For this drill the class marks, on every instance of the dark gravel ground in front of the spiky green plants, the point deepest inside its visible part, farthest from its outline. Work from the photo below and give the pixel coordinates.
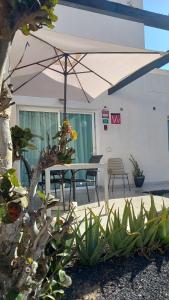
(133, 278)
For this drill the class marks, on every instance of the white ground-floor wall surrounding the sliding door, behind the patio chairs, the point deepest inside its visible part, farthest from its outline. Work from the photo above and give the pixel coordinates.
(143, 131)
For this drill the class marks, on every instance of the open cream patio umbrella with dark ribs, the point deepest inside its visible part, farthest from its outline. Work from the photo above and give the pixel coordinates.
(90, 65)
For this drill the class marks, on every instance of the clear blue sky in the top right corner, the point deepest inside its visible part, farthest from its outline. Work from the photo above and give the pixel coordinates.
(157, 39)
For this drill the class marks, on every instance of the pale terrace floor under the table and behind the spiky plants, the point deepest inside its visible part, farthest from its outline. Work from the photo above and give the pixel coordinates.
(118, 197)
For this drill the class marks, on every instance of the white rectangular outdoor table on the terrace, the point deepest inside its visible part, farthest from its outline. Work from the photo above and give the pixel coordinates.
(79, 166)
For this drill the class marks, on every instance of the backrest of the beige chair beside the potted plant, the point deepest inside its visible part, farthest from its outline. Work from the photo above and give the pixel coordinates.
(115, 166)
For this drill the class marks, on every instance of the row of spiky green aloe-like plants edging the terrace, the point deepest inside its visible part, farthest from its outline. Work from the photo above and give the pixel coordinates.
(131, 233)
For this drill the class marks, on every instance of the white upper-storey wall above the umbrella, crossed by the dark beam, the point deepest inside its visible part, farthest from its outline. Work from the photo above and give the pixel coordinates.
(99, 27)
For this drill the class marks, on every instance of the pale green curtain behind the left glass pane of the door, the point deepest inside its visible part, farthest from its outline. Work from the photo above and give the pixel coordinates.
(44, 124)
